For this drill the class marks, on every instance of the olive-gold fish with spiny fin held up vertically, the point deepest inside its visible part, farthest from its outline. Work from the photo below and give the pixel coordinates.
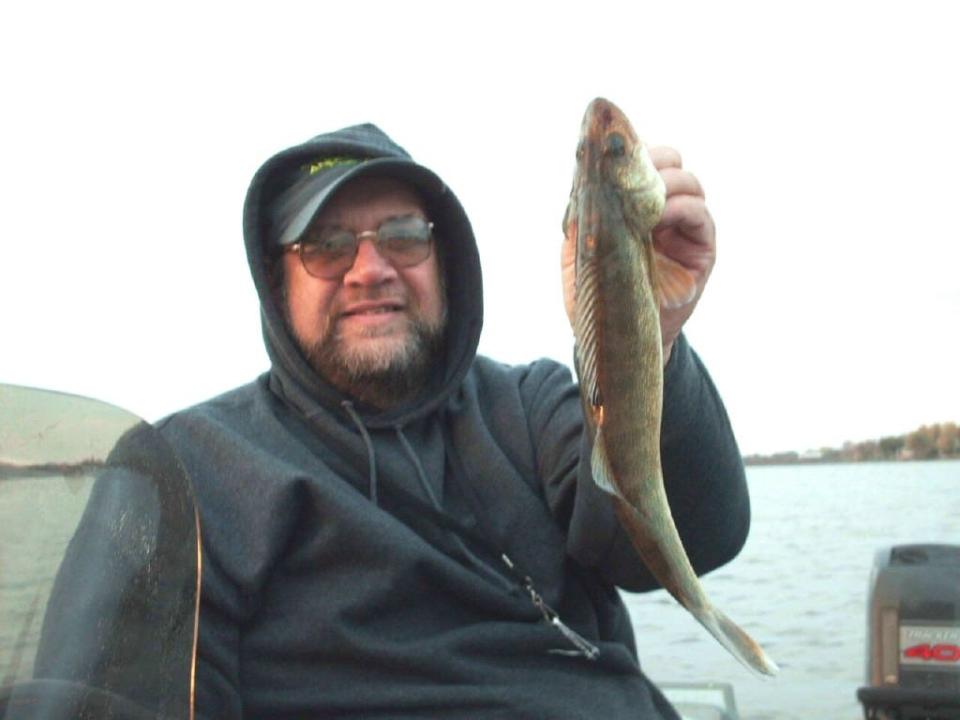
(621, 282)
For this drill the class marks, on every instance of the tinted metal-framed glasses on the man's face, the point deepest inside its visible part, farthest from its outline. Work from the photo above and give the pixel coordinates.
(328, 252)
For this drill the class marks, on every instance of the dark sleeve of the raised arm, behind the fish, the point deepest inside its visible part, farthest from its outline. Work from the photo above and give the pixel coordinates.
(702, 468)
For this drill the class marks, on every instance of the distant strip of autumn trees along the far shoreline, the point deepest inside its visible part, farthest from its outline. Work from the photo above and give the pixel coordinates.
(928, 442)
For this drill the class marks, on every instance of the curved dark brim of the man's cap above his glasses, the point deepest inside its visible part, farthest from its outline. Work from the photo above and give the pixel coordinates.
(306, 199)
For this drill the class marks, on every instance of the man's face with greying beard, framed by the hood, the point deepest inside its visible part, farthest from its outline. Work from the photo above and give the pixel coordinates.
(371, 333)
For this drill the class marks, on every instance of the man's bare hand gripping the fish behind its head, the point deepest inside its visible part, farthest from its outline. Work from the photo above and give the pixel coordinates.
(685, 234)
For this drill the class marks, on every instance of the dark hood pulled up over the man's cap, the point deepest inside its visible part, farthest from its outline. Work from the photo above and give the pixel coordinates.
(291, 375)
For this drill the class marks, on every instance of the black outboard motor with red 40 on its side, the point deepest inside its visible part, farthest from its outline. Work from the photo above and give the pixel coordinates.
(913, 634)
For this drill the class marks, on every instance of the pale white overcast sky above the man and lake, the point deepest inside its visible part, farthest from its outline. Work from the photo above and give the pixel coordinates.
(825, 135)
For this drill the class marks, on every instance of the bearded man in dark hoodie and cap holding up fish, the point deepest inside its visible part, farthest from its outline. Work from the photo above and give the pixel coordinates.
(395, 527)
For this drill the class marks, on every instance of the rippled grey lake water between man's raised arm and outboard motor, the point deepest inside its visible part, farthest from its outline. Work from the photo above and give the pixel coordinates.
(800, 585)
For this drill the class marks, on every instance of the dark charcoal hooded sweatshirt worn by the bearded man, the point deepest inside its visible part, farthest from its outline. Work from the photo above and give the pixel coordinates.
(354, 559)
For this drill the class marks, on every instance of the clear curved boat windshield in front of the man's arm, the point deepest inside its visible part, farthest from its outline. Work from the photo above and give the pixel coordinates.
(99, 563)
